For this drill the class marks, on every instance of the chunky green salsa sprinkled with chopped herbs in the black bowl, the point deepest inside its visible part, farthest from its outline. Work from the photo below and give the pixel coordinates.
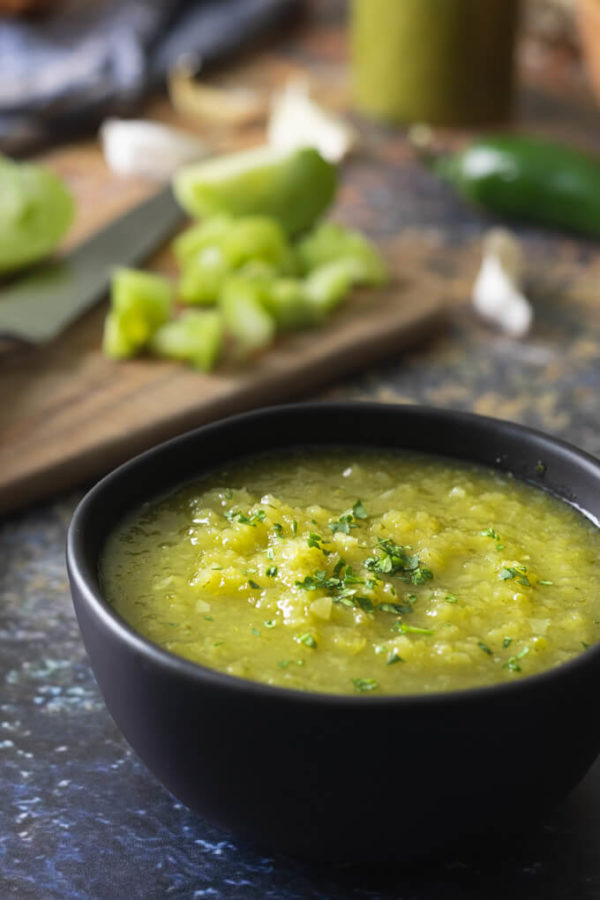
(360, 572)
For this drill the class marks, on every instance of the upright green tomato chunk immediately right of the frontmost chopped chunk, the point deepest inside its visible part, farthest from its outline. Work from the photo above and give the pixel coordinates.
(244, 315)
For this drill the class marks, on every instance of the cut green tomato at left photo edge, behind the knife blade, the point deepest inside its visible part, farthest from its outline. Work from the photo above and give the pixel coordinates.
(36, 210)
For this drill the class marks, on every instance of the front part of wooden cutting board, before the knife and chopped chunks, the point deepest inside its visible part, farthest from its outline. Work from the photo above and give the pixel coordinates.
(68, 415)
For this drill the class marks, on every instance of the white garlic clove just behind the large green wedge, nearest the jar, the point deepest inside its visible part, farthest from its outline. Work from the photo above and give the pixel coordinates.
(297, 121)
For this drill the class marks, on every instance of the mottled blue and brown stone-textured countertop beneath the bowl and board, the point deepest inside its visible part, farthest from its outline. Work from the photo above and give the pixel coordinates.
(80, 816)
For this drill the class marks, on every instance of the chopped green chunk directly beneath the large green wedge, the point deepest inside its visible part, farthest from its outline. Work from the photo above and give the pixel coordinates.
(254, 238)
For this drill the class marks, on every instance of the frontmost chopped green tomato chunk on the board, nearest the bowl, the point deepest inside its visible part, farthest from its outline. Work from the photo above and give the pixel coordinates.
(195, 338)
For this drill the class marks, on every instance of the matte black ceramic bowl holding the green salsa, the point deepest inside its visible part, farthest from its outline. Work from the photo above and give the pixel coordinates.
(321, 775)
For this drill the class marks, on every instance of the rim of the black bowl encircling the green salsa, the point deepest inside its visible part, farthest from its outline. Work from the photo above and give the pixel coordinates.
(84, 581)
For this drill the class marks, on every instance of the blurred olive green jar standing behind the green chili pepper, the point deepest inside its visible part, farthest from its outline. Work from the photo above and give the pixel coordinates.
(444, 62)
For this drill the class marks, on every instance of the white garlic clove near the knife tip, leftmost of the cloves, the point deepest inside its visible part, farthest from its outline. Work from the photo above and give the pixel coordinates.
(149, 149)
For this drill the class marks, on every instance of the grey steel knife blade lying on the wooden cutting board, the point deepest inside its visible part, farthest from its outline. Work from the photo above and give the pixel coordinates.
(38, 306)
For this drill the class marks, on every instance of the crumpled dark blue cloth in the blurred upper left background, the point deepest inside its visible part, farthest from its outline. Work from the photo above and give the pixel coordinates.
(63, 71)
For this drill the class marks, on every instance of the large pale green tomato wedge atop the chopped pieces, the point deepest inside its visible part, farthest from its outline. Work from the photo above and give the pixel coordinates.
(294, 188)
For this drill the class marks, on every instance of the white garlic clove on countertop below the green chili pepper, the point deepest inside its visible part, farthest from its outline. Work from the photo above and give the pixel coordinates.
(496, 293)
